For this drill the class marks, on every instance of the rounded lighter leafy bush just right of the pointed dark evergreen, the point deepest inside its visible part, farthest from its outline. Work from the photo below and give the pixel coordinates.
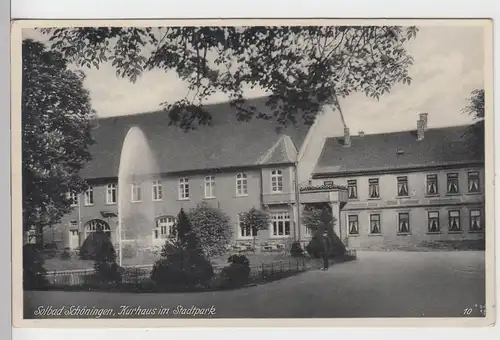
(212, 228)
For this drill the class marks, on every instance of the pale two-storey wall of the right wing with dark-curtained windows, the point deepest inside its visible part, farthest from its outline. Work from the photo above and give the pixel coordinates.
(418, 203)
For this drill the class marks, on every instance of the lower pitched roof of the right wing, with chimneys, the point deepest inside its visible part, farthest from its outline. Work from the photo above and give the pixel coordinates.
(396, 150)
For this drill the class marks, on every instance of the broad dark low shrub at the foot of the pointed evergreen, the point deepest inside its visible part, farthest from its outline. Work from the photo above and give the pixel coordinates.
(180, 266)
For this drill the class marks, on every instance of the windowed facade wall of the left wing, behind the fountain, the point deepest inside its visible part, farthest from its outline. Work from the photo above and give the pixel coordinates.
(226, 198)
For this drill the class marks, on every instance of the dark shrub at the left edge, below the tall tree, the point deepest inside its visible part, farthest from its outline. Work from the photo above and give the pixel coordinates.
(33, 270)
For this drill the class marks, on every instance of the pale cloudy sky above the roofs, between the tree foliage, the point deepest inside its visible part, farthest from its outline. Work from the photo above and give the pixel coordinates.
(448, 65)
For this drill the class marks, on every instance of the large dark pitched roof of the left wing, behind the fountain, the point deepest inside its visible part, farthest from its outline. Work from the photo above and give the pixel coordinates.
(225, 143)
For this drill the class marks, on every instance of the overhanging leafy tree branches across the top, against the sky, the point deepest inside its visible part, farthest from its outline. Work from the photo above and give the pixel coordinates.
(301, 68)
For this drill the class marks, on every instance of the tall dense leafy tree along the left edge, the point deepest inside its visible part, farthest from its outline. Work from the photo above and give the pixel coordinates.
(56, 124)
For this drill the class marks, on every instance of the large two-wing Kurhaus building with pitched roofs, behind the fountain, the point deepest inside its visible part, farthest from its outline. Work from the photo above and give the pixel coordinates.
(384, 189)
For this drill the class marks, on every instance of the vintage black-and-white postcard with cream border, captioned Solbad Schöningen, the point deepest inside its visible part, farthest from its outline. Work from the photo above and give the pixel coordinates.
(252, 173)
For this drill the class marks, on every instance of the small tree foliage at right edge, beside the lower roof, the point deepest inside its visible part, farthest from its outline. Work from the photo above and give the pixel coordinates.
(475, 132)
